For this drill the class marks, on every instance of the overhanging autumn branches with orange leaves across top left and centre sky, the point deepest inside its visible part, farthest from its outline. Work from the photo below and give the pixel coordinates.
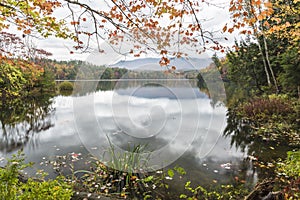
(169, 28)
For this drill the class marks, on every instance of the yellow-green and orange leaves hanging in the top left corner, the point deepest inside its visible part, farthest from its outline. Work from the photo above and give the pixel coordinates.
(32, 15)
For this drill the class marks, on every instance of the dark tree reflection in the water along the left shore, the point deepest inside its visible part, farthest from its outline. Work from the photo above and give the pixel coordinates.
(22, 118)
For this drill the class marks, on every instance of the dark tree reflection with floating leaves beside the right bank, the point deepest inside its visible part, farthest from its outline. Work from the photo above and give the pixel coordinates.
(262, 152)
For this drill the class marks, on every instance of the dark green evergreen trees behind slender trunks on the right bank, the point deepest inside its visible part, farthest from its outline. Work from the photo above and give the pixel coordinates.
(244, 67)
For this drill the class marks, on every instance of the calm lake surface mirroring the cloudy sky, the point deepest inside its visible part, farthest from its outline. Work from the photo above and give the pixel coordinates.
(178, 124)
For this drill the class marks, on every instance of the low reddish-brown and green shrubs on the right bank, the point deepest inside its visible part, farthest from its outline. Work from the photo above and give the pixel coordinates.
(274, 118)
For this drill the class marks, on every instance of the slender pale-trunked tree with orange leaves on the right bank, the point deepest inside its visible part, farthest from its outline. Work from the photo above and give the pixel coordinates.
(251, 17)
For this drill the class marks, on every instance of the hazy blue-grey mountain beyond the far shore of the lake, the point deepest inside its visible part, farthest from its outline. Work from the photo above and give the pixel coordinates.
(152, 64)
